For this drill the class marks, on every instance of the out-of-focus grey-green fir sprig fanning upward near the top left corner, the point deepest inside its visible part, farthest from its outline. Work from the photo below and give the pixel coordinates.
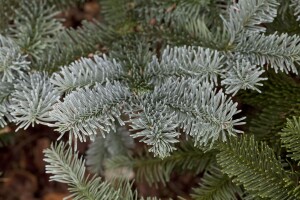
(35, 27)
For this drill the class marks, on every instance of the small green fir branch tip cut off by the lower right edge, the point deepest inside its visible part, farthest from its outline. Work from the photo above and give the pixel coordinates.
(290, 137)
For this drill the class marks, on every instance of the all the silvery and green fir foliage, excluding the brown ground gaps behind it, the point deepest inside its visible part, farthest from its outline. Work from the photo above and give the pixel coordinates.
(175, 75)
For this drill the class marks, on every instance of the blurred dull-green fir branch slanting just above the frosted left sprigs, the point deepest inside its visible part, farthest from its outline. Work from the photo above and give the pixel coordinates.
(75, 43)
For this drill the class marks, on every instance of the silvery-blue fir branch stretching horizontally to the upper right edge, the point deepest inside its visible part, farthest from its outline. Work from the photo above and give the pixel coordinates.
(280, 52)
